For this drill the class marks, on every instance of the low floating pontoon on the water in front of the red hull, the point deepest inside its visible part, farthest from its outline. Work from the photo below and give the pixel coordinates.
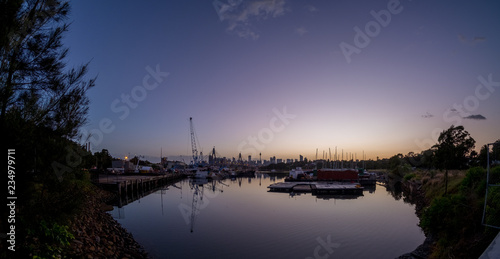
(318, 187)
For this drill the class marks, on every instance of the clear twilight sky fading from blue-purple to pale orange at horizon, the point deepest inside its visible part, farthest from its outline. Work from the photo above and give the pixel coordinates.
(285, 77)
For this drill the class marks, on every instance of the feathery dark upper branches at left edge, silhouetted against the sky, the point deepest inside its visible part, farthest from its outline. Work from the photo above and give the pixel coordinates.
(33, 80)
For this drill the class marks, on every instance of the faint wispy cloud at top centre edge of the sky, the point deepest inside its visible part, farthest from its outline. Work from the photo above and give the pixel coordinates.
(240, 15)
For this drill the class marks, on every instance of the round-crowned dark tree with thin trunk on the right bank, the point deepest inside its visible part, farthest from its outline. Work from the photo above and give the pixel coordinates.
(453, 149)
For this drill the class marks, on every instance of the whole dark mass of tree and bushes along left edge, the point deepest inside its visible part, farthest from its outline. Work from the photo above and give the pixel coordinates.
(43, 104)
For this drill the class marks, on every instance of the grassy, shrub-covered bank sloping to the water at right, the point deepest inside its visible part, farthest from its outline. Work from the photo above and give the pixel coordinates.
(451, 221)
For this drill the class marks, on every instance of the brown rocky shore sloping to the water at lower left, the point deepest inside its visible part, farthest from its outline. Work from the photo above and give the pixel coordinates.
(98, 235)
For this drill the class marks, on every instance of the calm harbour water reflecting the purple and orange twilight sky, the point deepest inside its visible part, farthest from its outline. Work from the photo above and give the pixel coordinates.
(239, 218)
